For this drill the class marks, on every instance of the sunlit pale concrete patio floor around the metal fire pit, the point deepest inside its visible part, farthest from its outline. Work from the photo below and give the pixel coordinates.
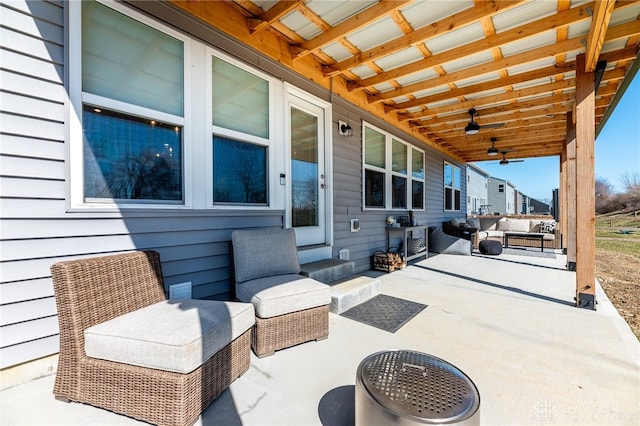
(508, 322)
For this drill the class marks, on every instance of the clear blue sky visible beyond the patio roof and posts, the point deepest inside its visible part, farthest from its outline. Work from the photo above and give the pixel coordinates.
(617, 151)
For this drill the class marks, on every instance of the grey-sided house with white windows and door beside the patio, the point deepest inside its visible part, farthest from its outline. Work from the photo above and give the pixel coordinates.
(120, 132)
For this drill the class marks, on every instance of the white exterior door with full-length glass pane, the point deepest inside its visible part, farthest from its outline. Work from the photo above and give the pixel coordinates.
(307, 186)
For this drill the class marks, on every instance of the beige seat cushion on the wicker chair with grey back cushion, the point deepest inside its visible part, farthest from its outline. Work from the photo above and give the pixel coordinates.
(283, 294)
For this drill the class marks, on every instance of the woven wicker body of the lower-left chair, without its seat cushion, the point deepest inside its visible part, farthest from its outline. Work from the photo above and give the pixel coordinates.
(95, 290)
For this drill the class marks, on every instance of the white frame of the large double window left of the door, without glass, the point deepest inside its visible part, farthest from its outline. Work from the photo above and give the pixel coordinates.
(197, 129)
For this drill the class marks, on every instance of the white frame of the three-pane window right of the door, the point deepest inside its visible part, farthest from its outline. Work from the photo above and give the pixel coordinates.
(389, 172)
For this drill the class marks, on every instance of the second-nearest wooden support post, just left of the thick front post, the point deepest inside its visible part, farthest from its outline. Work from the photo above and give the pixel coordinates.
(572, 207)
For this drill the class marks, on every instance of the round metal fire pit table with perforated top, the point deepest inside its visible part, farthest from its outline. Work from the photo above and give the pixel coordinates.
(409, 388)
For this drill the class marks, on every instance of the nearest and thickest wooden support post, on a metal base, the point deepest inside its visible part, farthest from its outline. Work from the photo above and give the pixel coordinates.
(585, 186)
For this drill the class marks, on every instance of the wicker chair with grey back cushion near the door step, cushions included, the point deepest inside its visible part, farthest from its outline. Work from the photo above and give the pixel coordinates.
(290, 308)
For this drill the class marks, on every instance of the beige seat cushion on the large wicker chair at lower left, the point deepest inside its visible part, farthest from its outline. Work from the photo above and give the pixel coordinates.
(173, 335)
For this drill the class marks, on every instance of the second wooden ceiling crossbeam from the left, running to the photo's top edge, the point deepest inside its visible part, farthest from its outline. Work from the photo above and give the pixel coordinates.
(359, 20)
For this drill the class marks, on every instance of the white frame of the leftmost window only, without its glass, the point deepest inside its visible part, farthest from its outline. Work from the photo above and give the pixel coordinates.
(77, 98)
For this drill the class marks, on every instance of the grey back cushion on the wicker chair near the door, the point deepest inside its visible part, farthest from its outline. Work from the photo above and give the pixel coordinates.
(264, 252)
